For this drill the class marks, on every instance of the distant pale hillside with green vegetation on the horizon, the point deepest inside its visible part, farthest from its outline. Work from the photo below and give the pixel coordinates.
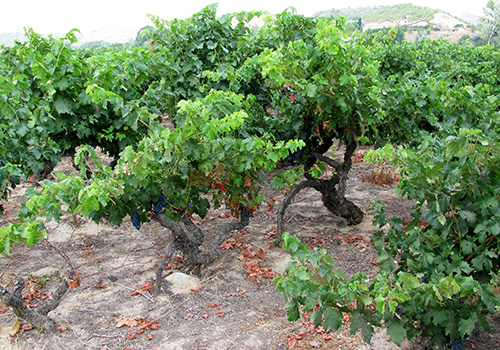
(379, 13)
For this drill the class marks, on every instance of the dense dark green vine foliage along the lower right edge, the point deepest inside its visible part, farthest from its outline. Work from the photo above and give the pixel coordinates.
(452, 241)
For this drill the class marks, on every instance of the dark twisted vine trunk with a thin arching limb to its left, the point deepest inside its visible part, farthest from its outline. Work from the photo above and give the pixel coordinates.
(332, 190)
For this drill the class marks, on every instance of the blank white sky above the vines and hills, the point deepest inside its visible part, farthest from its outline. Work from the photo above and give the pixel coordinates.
(60, 16)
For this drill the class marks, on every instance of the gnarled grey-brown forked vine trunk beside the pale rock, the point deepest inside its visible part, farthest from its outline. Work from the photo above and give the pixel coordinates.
(187, 241)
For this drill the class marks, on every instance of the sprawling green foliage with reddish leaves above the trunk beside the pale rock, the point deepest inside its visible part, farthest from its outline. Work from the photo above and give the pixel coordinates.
(205, 154)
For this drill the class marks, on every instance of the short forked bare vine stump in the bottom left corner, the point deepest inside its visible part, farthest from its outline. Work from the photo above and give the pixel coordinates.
(36, 317)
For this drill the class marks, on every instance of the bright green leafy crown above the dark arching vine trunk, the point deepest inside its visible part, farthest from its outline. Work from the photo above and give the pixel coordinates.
(322, 86)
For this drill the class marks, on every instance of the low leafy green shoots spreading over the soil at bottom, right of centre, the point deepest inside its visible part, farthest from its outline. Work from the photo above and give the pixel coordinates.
(311, 285)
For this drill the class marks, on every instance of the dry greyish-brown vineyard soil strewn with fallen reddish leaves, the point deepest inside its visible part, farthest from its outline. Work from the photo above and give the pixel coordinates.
(233, 306)
